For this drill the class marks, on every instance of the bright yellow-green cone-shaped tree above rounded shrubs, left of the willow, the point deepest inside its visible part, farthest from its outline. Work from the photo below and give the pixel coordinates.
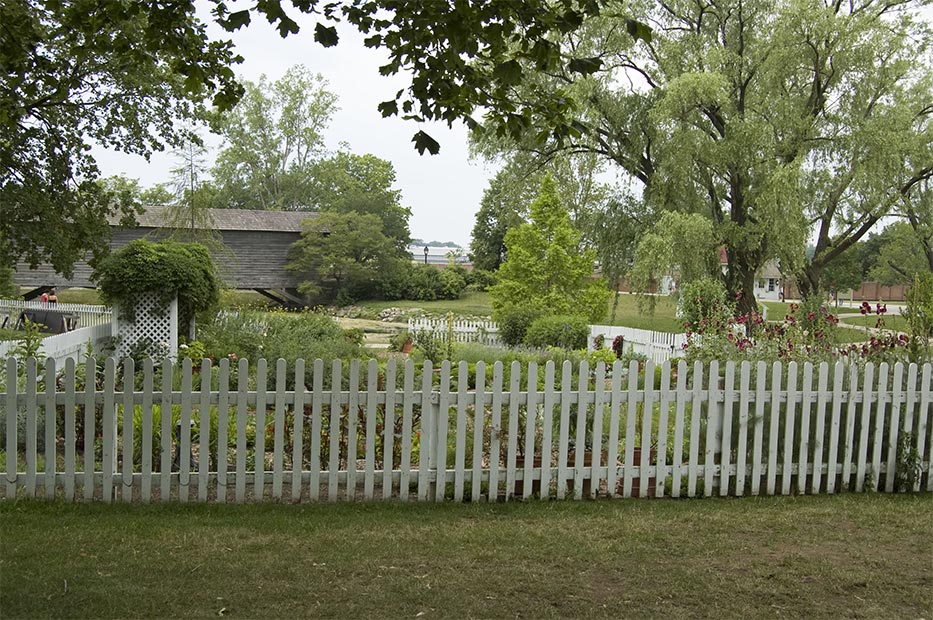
(546, 267)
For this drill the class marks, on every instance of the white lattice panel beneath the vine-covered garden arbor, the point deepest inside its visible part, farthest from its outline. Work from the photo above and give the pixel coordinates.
(155, 325)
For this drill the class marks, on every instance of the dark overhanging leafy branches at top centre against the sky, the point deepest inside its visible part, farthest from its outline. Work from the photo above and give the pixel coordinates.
(464, 58)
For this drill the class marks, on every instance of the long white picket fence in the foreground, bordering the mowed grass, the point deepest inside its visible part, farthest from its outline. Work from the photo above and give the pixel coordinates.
(425, 433)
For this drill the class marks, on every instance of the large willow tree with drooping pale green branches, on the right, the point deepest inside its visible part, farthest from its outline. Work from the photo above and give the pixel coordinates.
(770, 118)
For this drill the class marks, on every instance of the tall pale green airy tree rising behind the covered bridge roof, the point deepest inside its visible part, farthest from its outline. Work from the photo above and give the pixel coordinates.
(272, 139)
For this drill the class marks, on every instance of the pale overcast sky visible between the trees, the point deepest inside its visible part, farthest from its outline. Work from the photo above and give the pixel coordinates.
(443, 191)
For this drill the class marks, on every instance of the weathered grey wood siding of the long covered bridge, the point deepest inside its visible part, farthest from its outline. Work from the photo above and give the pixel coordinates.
(255, 259)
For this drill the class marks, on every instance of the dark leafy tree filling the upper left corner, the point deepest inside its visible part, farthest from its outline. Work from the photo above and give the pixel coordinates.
(115, 73)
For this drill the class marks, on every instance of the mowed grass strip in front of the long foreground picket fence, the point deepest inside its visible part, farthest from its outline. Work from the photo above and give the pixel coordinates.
(865, 556)
